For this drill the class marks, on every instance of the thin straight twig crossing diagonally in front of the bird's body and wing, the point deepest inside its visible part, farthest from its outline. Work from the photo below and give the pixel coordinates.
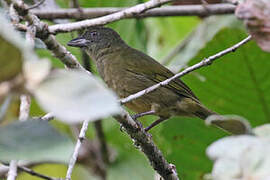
(204, 62)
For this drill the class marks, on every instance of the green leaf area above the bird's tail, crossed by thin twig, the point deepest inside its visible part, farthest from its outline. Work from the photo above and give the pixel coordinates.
(237, 82)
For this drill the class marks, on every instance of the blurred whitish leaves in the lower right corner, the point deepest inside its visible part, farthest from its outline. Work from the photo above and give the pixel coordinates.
(248, 157)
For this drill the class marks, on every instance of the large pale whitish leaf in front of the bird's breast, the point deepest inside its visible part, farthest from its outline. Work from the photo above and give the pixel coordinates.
(74, 96)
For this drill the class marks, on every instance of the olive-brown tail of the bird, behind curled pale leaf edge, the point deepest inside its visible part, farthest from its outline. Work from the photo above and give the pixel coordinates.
(233, 127)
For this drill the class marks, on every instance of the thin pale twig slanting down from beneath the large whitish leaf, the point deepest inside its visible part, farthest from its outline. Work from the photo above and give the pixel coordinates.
(75, 154)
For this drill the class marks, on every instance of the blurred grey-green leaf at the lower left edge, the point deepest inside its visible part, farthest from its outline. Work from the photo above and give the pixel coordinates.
(35, 141)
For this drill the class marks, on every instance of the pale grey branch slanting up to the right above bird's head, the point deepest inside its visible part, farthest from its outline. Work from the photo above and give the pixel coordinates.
(126, 13)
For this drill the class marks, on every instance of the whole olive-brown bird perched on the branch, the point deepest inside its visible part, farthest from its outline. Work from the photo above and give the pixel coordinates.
(127, 71)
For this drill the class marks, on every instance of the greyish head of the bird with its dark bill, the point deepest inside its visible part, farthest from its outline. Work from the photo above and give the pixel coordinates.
(95, 39)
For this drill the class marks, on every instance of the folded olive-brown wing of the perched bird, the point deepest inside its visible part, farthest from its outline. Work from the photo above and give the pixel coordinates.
(143, 64)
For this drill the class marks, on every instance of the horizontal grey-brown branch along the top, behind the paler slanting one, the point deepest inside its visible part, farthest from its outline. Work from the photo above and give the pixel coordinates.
(184, 10)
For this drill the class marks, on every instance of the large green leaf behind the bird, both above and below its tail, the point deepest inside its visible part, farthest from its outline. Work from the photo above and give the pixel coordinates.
(234, 84)
